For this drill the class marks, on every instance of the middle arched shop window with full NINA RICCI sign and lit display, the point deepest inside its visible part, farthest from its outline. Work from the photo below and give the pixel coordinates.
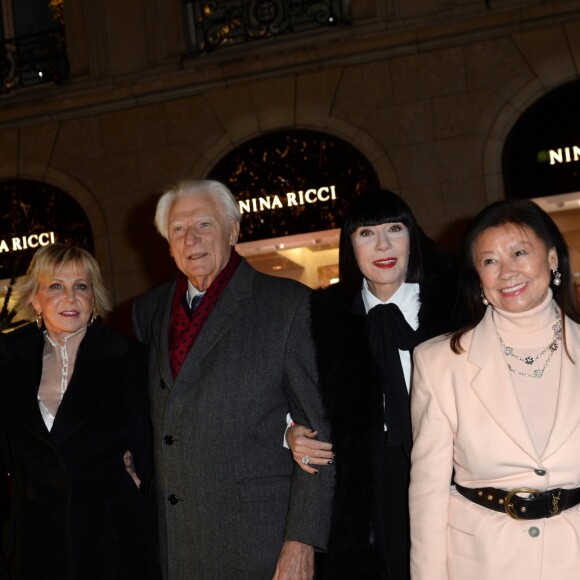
(293, 188)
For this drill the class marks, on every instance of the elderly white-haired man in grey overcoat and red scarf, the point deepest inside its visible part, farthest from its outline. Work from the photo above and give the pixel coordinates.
(230, 355)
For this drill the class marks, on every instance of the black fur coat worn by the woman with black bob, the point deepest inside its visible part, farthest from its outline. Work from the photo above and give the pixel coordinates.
(353, 397)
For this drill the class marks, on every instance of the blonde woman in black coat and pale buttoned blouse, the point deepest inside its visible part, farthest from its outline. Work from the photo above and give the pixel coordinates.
(76, 434)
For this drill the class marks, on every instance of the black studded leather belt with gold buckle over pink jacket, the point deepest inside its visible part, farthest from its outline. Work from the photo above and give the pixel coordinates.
(536, 506)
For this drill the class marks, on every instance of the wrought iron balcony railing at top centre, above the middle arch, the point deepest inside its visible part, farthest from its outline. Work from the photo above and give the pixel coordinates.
(217, 23)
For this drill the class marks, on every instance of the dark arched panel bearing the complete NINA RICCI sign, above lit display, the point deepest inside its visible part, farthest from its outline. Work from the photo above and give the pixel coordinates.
(293, 182)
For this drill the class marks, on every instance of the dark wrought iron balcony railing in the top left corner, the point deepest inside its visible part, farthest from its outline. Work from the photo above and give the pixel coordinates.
(32, 60)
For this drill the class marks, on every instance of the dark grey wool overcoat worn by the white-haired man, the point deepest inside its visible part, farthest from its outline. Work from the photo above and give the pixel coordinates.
(229, 493)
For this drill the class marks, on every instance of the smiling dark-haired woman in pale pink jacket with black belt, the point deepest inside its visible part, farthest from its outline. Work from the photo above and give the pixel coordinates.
(496, 407)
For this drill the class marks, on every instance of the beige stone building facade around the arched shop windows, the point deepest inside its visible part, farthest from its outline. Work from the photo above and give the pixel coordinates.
(427, 90)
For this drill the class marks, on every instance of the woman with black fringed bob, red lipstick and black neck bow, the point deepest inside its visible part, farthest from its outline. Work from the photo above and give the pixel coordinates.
(396, 289)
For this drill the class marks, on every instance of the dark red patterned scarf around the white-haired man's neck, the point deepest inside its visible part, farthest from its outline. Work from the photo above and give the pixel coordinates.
(185, 326)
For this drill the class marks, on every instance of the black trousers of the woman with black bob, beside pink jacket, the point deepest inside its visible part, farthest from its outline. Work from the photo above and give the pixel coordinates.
(390, 515)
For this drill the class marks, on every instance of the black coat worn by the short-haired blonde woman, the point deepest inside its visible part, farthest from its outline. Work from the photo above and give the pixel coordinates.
(74, 512)
